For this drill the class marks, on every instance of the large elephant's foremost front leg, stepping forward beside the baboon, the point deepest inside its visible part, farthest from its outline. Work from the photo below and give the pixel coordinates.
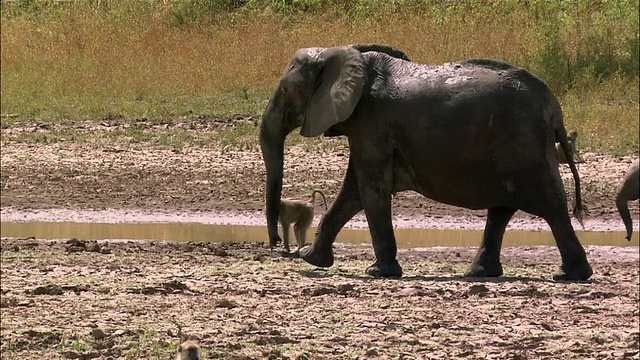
(346, 206)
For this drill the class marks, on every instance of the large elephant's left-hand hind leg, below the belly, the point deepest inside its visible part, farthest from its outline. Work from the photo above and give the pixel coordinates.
(487, 260)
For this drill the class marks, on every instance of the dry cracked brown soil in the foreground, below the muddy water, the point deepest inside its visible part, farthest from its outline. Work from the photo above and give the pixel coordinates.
(83, 300)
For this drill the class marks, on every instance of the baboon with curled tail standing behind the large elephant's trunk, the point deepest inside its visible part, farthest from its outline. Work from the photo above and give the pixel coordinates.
(300, 214)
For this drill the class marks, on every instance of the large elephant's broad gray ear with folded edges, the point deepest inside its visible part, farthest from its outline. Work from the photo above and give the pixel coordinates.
(338, 91)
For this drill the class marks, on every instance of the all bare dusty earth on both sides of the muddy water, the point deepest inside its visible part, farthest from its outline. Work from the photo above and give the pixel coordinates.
(119, 300)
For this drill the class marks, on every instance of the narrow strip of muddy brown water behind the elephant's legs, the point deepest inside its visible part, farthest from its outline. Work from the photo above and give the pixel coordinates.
(407, 238)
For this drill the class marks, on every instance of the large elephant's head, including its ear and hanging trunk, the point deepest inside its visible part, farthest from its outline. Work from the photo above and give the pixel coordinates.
(318, 89)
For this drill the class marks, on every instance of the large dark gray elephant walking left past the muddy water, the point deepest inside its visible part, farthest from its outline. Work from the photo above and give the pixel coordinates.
(478, 134)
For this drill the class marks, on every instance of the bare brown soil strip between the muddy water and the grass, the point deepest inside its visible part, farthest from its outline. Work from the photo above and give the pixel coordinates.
(125, 175)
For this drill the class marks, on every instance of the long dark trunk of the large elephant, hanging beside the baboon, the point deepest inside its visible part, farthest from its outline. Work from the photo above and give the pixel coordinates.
(272, 138)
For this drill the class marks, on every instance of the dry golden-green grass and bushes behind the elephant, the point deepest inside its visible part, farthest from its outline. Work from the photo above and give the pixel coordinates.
(64, 61)
